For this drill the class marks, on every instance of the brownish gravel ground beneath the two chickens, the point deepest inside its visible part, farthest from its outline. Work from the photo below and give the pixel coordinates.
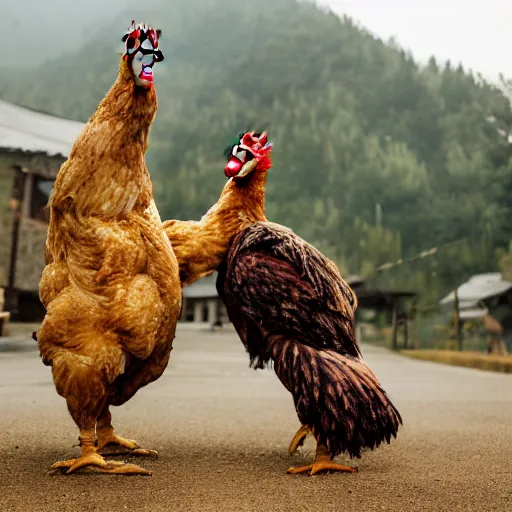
(223, 430)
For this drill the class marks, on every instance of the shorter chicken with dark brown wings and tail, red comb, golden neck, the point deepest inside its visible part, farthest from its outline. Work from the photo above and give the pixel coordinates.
(291, 308)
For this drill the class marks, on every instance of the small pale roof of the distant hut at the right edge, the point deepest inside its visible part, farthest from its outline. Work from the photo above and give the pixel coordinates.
(479, 287)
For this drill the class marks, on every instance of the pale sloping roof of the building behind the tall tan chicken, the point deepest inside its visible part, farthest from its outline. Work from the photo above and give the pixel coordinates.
(23, 129)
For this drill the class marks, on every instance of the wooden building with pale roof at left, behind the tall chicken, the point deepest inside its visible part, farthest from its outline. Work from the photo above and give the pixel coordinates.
(33, 145)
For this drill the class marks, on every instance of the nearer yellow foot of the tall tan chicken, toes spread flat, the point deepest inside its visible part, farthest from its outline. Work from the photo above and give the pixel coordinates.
(93, 461)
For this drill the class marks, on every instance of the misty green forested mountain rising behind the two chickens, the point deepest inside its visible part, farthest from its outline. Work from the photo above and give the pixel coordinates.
(375, 157)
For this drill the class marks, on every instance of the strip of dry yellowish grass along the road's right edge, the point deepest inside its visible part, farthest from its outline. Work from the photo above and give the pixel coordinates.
(478, 360)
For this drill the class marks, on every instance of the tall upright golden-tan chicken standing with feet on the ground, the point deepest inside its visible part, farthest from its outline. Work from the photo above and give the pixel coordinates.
(111, 285)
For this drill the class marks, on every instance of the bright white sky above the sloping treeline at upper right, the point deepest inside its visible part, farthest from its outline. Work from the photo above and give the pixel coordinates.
(477, 33)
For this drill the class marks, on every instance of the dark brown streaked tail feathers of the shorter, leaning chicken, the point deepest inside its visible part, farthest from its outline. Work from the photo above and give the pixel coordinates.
(337, 396)
